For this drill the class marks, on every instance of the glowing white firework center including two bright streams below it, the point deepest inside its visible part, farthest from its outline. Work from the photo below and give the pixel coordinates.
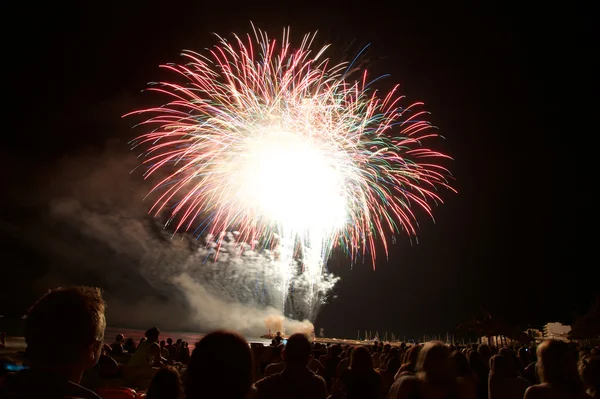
(291, 183)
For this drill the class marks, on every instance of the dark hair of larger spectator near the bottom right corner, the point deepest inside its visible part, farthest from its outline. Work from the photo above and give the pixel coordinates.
(558, 367)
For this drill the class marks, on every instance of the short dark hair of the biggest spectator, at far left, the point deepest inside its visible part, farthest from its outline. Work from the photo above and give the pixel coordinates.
(73, 316)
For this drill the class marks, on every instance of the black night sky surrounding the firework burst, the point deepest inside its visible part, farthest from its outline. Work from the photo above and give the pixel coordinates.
(502, 82)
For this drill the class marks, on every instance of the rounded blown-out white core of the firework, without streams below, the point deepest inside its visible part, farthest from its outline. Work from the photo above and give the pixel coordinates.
(292, 182)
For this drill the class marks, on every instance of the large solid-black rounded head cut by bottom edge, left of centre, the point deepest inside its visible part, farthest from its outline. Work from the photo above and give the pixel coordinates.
(221, 360)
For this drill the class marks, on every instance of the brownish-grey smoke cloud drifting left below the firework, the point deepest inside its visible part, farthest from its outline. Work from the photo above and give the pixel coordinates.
(95, 227)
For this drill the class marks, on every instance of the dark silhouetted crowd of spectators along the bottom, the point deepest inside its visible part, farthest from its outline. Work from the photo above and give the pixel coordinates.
(67, 358)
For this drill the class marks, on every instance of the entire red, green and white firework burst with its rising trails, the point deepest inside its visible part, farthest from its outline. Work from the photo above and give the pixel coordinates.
(291, 152)
